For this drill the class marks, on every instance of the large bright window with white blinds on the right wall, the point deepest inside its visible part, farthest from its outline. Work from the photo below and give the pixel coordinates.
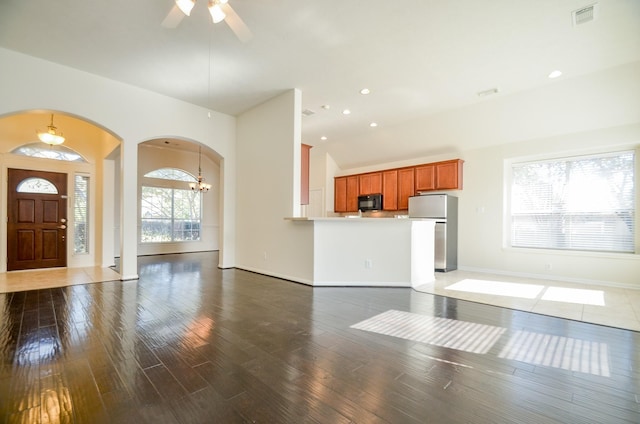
(576, 203)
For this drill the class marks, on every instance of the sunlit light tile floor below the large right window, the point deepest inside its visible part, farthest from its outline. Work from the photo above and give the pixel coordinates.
(611, 306)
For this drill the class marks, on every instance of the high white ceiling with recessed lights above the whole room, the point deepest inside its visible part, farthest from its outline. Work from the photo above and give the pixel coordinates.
(418, 57)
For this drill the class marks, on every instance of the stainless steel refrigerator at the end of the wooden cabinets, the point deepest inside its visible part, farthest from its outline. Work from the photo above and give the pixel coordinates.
(444, 209)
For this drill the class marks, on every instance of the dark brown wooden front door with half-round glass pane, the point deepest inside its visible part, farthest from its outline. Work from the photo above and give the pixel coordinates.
(37, 215)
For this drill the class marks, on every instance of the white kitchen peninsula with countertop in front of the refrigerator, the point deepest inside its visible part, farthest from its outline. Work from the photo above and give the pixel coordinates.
(387, 252)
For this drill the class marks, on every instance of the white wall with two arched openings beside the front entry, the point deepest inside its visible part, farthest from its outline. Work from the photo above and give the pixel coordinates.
(133, 115)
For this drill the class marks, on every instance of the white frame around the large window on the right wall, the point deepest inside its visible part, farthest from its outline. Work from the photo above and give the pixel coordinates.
(574, 154)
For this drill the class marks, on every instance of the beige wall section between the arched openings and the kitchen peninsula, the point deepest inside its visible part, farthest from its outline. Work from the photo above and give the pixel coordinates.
(268, 147)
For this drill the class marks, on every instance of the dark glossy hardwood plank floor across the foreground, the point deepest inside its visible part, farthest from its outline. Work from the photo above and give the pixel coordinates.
(189, 343)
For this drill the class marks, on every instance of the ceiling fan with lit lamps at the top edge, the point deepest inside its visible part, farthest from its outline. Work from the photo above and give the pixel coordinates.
(220, 10)
